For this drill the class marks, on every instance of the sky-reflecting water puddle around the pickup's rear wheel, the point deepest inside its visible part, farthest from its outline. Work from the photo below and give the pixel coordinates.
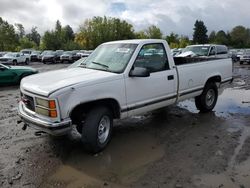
(231, 101)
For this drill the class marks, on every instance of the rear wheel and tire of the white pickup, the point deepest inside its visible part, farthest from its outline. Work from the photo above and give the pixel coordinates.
(207, 100)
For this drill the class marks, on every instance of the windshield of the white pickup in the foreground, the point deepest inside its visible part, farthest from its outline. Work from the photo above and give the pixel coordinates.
(111, 57)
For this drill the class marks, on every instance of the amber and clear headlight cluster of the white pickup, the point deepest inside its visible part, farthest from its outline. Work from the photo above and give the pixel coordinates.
(46, 107)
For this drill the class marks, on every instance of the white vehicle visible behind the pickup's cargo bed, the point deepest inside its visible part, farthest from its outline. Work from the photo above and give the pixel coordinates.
(205, 50)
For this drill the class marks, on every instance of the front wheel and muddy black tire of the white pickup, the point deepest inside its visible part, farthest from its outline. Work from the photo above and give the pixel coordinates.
(97, 129)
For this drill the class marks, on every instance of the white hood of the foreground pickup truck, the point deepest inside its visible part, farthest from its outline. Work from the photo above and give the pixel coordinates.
(49, 82)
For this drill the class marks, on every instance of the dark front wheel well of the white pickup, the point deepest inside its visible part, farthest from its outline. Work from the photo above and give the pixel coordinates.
(112, 104)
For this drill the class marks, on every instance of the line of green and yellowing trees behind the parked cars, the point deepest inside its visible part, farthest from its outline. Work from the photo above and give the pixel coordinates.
(97, 30)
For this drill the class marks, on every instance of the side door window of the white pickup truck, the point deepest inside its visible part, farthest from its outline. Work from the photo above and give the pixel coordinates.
(152, 57)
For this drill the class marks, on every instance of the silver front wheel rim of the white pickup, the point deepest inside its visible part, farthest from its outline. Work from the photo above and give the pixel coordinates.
(103, 129)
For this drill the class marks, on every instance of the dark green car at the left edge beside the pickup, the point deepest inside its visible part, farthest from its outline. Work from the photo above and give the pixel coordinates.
(14, 74)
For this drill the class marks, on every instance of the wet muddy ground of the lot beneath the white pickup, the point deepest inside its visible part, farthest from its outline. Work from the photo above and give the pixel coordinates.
(176, 147)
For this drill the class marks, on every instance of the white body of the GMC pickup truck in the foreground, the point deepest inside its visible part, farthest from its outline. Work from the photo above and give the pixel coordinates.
(75, 87)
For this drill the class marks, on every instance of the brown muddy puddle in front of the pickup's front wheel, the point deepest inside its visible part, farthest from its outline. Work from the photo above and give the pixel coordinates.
(123, 162)
